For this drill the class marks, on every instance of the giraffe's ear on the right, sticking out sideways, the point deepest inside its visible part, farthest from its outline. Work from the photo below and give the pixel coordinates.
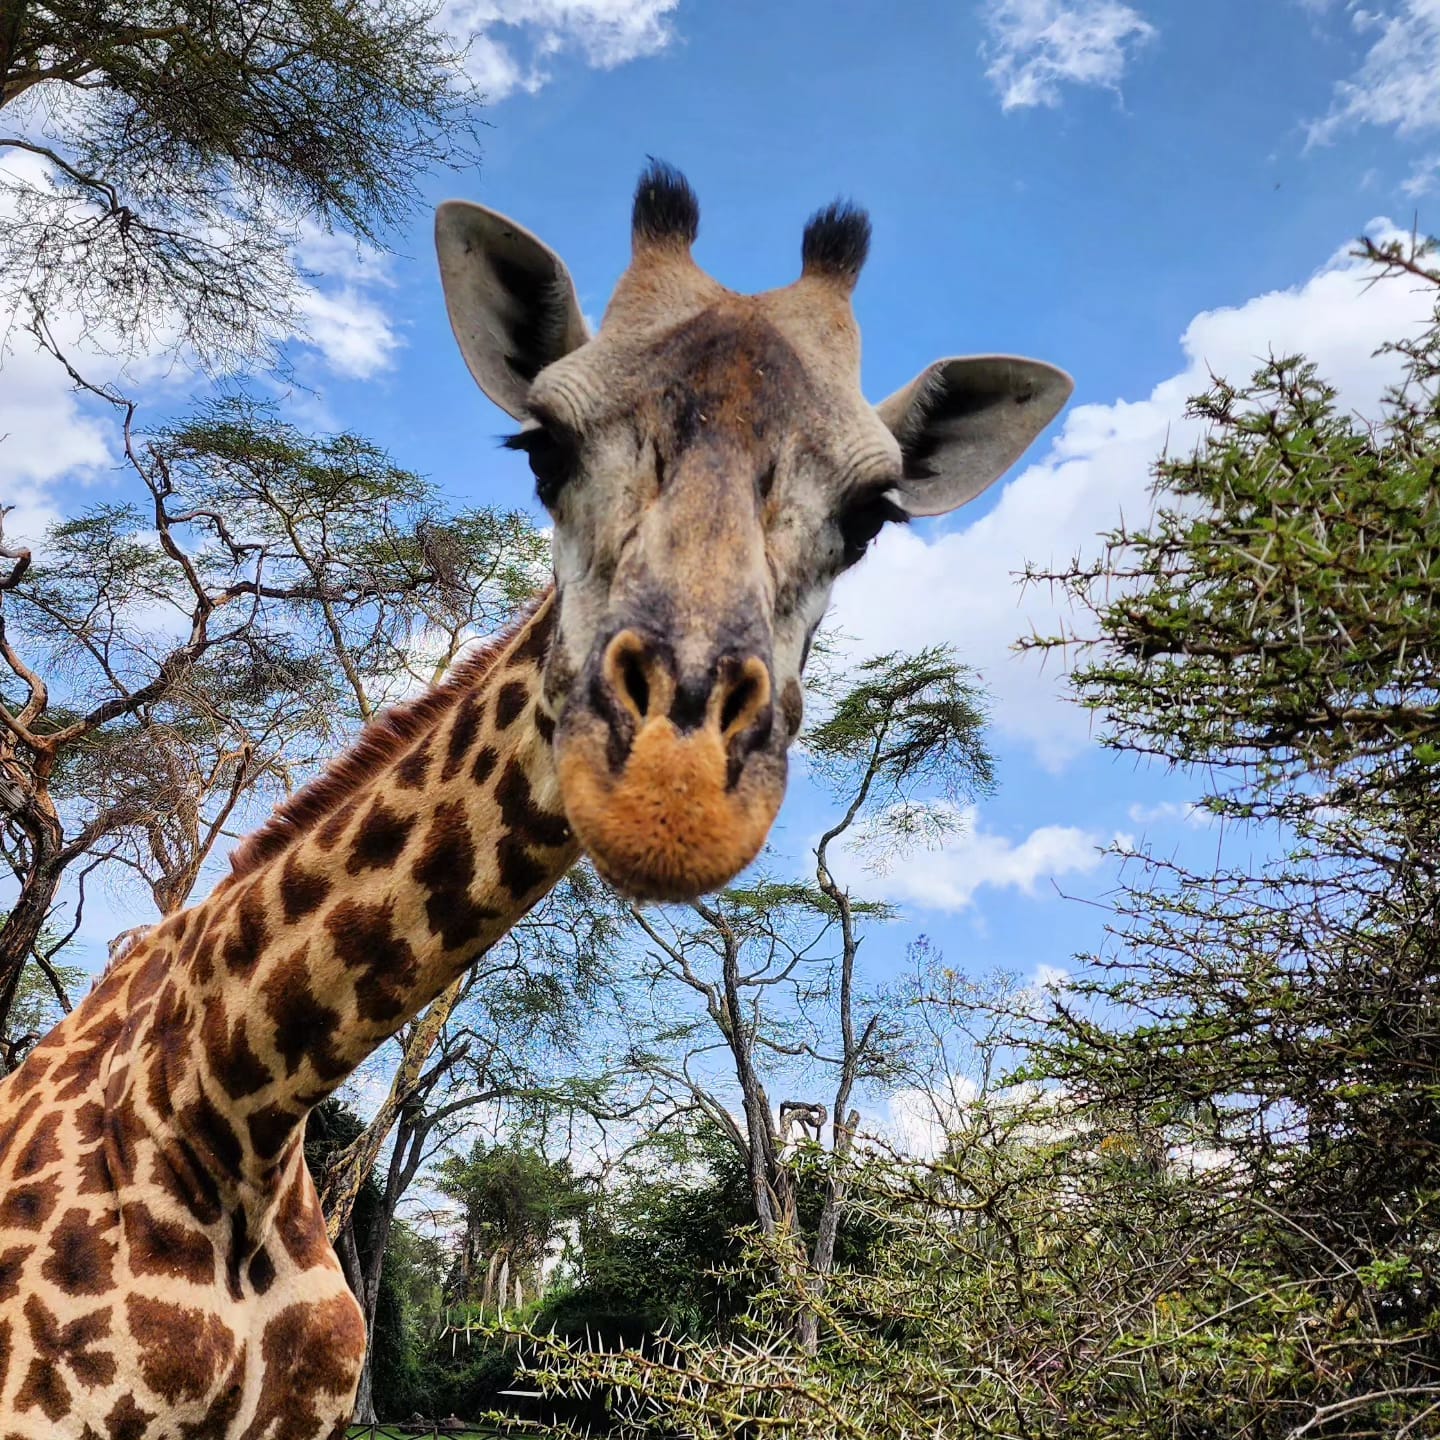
(964, 423)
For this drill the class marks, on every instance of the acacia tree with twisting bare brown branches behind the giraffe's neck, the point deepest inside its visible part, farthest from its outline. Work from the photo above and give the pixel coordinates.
(174, 665)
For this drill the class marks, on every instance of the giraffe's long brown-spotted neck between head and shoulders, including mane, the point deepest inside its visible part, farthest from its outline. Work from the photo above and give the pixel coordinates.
(345, 917)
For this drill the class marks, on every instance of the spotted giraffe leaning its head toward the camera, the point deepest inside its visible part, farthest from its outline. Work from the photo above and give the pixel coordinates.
(711, 467)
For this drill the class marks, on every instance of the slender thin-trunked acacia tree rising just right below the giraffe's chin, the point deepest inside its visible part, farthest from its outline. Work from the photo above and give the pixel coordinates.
(758, 987)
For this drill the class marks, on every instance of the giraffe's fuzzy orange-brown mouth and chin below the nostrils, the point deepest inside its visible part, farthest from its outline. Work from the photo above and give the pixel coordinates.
(672, 822)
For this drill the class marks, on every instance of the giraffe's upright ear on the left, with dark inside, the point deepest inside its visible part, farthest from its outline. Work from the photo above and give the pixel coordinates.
(510, 300)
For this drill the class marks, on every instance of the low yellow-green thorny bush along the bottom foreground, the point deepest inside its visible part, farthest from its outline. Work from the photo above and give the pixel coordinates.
(1006, 1288)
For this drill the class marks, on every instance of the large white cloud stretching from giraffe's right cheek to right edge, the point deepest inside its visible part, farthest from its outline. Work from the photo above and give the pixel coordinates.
(960, 588)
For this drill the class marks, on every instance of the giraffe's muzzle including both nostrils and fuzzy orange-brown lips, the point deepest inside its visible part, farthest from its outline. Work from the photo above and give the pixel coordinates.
(672, 780)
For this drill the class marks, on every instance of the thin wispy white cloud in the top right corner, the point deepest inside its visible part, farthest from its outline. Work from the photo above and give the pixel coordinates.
(1396, 84)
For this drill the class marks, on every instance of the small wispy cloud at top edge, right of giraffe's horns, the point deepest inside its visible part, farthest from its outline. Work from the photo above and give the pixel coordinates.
(1038, 47)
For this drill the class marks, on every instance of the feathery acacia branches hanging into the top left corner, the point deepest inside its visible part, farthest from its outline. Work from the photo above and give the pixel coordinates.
(185, 146)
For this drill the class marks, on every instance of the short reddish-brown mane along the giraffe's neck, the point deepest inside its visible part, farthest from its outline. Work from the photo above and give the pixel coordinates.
(381, 742)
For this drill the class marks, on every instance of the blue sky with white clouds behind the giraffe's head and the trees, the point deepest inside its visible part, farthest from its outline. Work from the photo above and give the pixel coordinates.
(1134, 192)
